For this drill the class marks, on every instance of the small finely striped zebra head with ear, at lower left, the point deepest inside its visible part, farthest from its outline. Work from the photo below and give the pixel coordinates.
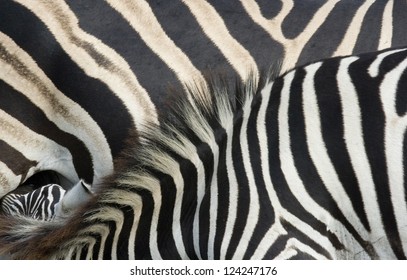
(46, 202)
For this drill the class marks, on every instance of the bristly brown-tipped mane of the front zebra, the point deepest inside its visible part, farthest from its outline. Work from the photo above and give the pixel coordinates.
(211, 105)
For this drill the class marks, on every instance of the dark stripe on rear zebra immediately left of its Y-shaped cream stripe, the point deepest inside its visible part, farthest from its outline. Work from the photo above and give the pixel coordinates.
(261, 46)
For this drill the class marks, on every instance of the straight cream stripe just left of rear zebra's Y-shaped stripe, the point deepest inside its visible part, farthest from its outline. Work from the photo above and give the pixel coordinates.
(214, 27)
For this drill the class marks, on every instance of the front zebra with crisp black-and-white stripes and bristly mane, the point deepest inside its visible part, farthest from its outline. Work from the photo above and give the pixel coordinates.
(308, 165)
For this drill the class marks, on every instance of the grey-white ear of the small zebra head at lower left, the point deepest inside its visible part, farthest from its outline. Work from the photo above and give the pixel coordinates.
(74, 198)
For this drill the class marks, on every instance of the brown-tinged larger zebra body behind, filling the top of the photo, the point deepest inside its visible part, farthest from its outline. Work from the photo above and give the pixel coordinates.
(76, 78)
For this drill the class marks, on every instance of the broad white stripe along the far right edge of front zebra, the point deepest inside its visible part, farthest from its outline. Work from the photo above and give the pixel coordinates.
(395, 129)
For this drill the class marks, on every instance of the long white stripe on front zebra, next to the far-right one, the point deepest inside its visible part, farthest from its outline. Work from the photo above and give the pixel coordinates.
(356, 149)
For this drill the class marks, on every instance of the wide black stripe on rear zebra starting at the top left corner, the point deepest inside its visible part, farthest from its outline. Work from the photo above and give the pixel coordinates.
(94, 96)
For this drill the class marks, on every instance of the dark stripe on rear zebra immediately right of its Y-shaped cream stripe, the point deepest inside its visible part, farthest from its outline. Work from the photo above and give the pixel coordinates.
(334, 28)
